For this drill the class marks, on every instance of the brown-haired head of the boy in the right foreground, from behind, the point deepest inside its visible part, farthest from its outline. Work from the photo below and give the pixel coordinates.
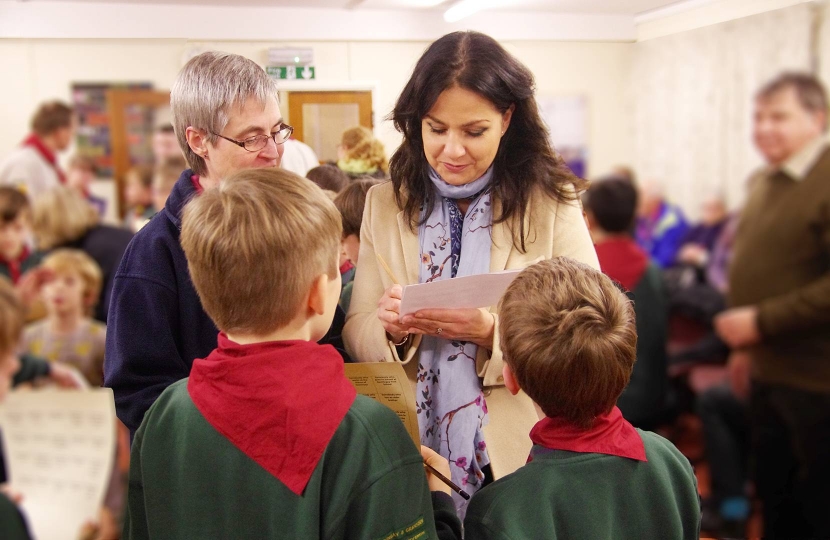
(569, 339)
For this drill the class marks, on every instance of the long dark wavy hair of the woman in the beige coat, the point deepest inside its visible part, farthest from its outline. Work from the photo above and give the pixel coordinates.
(525, 161)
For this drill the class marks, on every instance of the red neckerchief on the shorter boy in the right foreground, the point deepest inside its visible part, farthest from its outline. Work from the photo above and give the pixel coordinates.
(611, 434)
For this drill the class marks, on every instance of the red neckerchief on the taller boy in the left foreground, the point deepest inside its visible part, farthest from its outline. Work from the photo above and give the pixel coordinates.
(278, 402)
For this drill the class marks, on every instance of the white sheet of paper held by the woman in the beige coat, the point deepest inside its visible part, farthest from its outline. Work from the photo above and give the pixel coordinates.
(483, 290)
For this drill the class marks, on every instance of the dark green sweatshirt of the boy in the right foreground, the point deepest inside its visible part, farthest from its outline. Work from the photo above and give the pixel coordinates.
(570, 495)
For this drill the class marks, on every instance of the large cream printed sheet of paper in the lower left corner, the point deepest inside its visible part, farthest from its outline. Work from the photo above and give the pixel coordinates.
(59, 447)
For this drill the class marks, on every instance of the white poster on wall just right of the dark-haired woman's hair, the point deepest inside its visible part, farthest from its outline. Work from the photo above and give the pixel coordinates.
(567, 119)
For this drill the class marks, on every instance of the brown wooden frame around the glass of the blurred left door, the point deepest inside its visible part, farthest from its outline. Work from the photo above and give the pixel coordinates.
(117, 101)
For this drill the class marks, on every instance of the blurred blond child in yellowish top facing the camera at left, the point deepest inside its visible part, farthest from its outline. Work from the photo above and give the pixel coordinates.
(68, 335)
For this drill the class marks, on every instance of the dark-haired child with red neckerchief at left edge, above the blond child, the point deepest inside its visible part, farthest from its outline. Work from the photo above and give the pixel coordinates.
(15, 231)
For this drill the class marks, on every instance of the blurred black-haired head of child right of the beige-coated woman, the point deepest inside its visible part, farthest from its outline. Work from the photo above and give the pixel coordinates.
(611, 205)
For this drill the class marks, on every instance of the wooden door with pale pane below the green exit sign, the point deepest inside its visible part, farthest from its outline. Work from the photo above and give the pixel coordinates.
(319, 118)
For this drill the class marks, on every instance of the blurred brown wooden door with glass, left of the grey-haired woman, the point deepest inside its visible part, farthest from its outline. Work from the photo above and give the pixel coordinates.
(131, 127)
